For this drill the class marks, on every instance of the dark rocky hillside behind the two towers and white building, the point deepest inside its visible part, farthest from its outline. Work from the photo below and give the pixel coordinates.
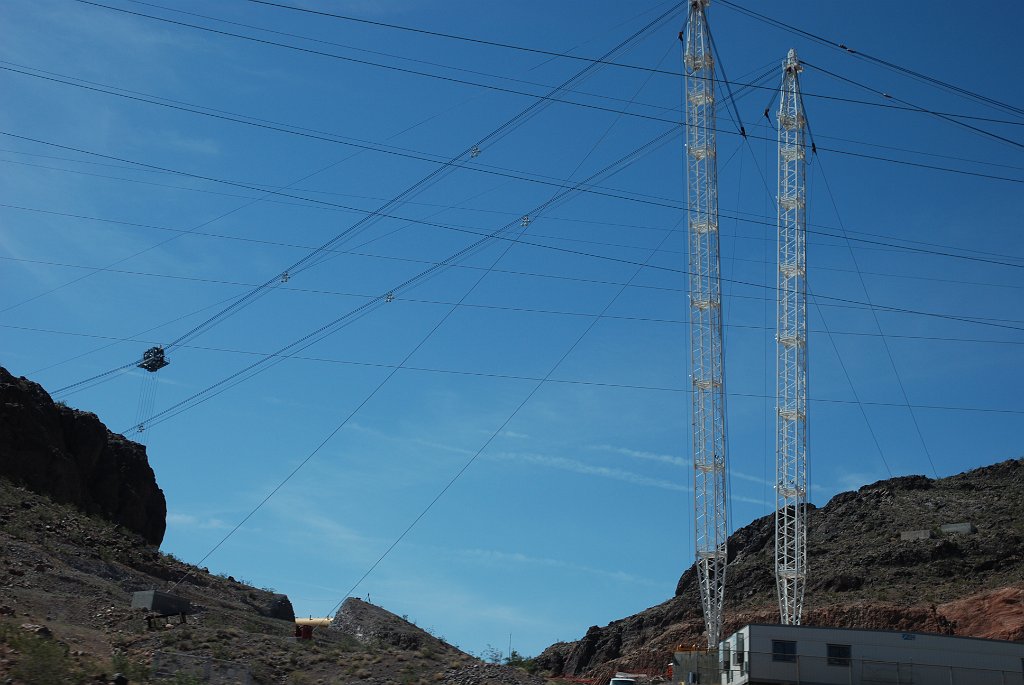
(865, 574)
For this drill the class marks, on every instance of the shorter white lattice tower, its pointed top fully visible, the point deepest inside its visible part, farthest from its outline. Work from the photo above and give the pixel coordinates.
(791, 435)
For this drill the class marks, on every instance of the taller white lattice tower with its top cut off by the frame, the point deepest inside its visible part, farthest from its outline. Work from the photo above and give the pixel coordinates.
(706, 320)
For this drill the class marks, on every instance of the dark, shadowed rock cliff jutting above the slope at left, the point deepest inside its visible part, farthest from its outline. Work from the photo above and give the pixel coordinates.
(74, 459)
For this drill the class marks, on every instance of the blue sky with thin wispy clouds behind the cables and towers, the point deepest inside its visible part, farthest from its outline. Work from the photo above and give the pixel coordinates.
(578, 512)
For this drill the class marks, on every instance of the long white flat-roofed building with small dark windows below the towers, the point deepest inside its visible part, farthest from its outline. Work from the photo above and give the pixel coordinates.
(807, 656)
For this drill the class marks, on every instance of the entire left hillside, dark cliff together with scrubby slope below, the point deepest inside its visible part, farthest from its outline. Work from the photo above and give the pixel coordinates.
(80, 520)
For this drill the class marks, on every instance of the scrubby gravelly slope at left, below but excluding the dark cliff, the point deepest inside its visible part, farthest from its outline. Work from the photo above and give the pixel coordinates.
(66, 584)
